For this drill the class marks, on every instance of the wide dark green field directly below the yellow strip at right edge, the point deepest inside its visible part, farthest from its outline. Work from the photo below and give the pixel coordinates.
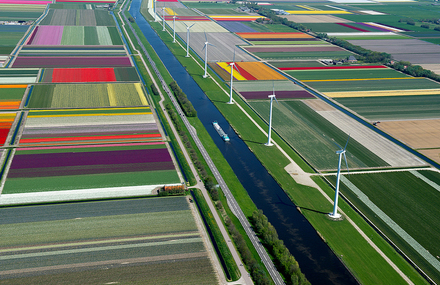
(395, 107)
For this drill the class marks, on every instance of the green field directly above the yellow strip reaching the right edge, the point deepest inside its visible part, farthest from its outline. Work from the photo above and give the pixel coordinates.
(370, 85)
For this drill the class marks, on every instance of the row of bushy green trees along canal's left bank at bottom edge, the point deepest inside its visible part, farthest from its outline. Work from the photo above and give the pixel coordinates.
(284, 261)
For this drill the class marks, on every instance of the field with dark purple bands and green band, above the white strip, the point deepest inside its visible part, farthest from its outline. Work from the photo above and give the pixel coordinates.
(39, 169)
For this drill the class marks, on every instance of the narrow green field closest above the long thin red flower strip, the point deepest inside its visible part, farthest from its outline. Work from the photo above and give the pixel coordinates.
(303, 55)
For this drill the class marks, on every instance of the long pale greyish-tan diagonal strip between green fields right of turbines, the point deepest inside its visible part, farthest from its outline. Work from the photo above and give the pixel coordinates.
(394, 155)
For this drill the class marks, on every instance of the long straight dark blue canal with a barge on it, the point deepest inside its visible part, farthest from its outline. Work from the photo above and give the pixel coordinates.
(317, 261)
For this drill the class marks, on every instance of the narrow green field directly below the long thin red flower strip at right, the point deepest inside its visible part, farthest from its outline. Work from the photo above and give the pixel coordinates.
(345, 74)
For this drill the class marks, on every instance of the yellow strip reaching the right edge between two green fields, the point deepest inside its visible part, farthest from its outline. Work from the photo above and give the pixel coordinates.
(378, 93)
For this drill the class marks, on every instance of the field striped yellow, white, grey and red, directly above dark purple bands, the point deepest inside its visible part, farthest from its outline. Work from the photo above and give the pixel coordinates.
(89, 126)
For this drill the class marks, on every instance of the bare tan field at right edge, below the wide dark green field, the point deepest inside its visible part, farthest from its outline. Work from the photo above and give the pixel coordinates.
(417, 134)
